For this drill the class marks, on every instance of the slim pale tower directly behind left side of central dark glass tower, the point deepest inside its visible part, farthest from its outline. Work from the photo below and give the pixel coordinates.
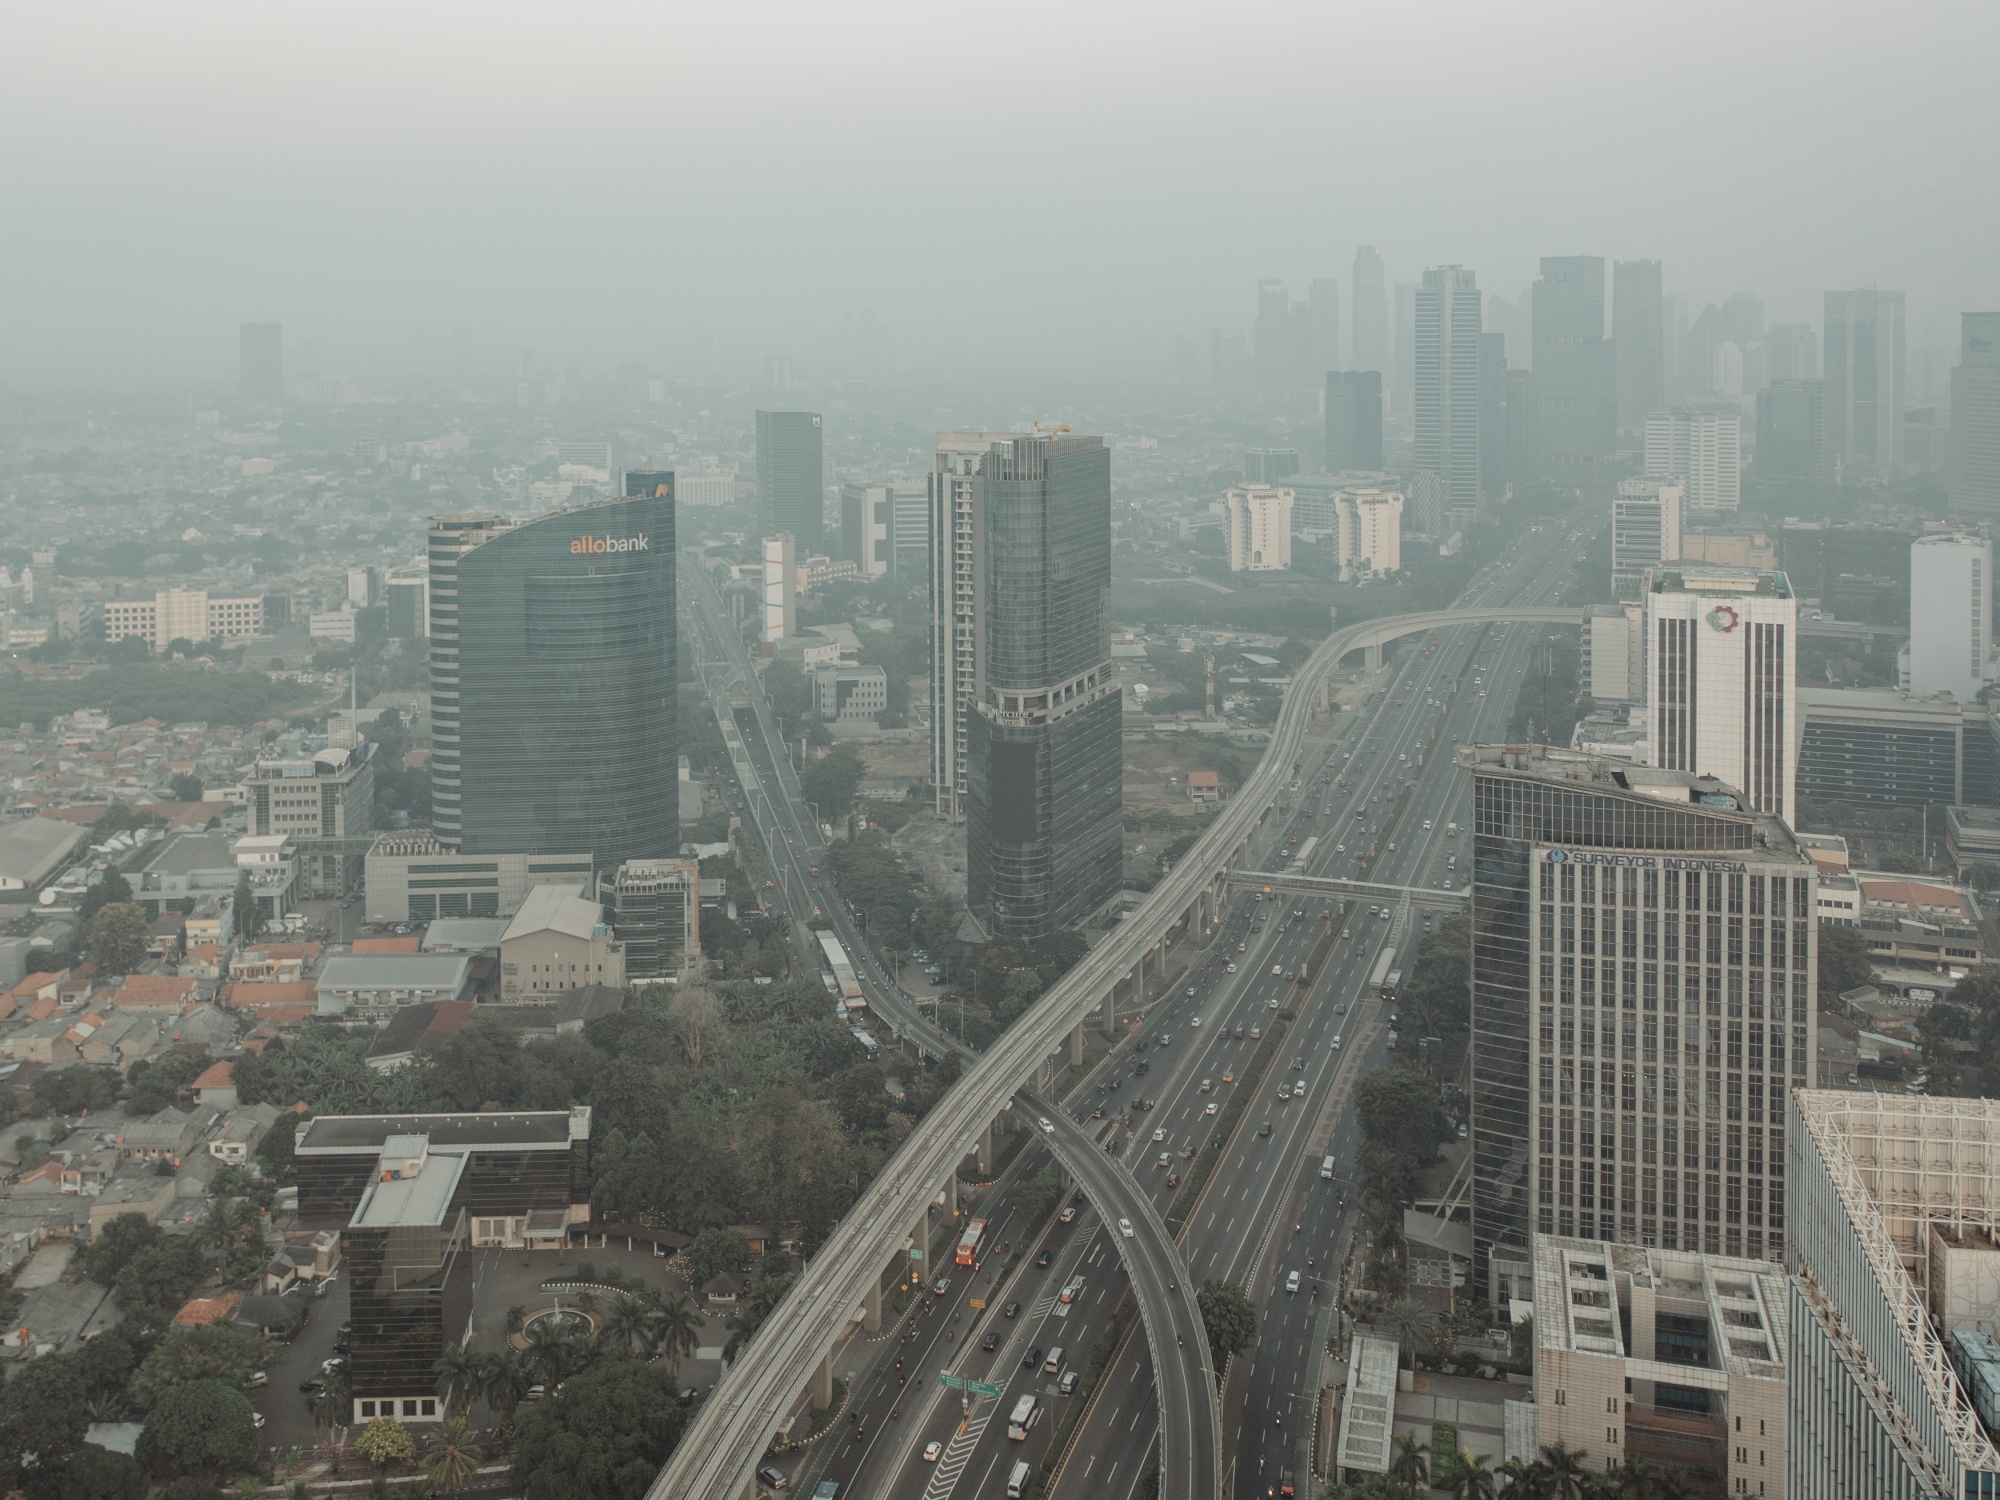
(955, 593)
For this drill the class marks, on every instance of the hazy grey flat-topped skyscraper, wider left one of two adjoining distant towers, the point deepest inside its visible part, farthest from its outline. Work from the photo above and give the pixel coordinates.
(1575, 373)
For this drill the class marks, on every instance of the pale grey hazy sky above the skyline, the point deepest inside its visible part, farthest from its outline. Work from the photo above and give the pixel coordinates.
(1005, 187)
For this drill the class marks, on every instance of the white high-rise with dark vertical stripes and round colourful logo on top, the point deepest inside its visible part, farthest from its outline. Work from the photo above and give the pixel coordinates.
(1723, 679)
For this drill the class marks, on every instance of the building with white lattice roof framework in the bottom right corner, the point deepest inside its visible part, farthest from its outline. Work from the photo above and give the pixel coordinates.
(1895, 1373)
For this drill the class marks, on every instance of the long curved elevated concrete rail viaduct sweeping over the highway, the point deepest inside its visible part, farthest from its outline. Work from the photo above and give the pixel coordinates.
(731, 1431)
